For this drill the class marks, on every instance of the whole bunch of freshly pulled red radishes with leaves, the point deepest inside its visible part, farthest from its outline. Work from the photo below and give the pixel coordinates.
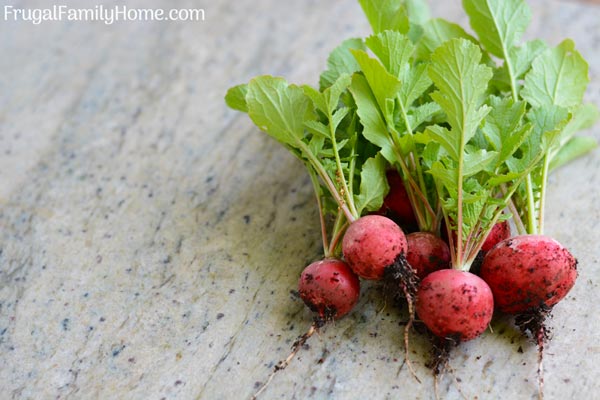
(418, 129)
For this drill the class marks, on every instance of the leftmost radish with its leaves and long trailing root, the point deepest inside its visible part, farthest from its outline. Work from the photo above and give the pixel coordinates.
(312, 124)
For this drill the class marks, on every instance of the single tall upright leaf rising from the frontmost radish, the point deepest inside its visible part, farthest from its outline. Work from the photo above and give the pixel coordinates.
(461, 83)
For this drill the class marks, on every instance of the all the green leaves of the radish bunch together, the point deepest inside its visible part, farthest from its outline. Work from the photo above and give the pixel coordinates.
(473, 124)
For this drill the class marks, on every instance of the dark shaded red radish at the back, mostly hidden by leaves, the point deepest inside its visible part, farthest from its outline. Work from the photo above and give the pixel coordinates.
(396, 205)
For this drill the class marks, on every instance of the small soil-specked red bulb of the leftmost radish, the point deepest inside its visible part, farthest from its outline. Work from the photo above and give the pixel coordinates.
(329, 288)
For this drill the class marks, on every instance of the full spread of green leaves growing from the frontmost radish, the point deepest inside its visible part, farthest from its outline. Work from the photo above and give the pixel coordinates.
(487, 152)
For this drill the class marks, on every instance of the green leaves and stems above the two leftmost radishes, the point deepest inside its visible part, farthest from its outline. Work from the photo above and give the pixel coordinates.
(320, 128)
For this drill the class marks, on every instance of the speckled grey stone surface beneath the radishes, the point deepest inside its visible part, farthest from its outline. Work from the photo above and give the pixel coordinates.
(151, 239)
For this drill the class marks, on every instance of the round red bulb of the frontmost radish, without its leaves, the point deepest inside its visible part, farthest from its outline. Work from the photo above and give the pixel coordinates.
(455, 304)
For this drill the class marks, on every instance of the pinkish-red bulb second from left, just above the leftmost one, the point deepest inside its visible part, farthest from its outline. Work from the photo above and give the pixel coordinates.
(371, 243)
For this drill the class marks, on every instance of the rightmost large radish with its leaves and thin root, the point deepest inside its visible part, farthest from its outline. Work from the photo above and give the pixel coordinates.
(529, 275)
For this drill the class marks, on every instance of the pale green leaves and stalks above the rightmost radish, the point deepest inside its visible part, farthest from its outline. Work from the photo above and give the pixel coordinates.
(551, 81)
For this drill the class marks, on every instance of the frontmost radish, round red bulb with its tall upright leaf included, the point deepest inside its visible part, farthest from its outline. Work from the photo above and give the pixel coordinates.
(454, 304)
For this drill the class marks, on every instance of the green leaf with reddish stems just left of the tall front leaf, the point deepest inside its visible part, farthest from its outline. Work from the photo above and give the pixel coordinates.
(389, 95)
